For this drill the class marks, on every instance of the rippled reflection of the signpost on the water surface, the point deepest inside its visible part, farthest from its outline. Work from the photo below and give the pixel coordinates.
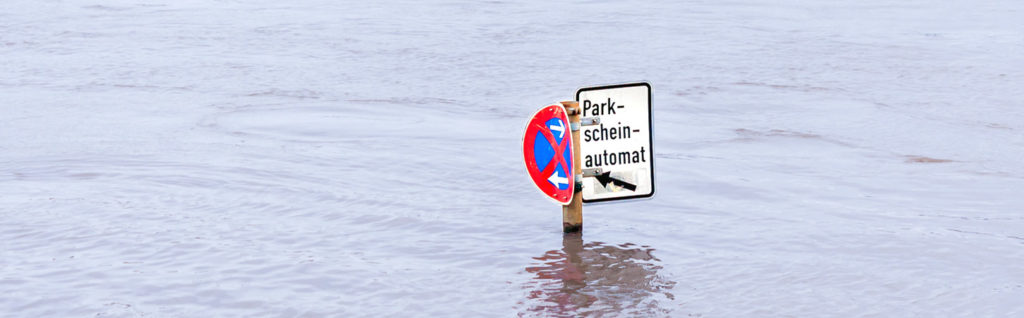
(596, 279)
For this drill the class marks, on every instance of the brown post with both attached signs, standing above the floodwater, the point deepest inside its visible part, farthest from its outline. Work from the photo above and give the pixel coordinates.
(615, 153)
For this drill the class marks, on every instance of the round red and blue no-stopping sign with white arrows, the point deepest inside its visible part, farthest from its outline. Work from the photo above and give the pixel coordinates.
(547, 150)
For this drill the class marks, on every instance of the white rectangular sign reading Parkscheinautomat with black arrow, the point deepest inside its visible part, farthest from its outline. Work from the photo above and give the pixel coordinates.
(621, 146)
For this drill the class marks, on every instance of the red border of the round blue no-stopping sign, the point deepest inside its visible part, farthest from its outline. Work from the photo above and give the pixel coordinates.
(537, 178)
